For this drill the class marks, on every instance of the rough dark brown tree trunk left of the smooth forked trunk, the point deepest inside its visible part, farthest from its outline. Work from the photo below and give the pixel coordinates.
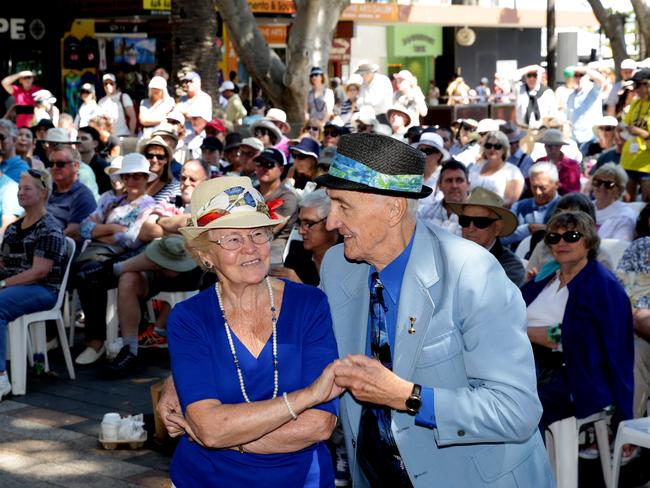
(194, 29)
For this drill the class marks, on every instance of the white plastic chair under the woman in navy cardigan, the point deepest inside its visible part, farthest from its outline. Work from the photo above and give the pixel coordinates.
(562, 446)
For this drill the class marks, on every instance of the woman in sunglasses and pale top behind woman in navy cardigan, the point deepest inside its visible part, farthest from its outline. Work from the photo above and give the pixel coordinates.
(615, 218)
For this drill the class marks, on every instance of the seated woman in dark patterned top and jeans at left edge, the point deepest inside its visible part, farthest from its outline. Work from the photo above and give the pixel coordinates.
(34, 256)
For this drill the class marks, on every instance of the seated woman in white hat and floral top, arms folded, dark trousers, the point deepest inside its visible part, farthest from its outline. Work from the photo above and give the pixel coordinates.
(114, 229)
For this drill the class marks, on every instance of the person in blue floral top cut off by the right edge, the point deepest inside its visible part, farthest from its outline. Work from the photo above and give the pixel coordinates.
(634, 273)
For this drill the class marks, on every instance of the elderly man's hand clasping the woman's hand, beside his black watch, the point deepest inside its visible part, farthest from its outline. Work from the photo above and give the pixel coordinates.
(369, 381)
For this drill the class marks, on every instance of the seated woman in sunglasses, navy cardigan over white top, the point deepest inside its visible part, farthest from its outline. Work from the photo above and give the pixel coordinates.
(580, 325)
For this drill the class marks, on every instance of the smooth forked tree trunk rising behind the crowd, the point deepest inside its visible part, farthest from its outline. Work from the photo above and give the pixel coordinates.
(308, 45)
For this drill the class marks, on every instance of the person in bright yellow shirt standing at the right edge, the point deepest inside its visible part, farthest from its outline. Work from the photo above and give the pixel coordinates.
(635, 158)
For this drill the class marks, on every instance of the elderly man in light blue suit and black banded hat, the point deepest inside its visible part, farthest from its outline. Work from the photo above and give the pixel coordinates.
(450, 397)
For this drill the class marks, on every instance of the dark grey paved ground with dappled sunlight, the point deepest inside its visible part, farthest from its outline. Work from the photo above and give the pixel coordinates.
(48, 438)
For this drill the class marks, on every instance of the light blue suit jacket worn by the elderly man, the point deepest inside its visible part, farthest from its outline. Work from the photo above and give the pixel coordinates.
(470, 345)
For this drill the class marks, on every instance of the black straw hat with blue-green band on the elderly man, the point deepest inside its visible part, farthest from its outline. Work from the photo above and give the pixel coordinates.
(374, 163)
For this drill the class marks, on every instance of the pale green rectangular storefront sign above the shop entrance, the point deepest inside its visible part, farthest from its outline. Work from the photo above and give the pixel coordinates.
(419, 40)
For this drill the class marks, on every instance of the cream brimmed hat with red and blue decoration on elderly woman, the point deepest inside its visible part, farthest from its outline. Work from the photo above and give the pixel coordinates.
(229, 202)
